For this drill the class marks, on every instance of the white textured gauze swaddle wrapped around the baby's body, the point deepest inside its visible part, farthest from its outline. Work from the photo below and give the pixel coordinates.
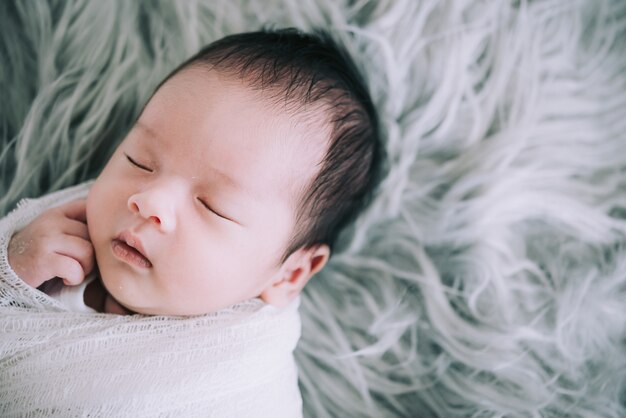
(237, 362)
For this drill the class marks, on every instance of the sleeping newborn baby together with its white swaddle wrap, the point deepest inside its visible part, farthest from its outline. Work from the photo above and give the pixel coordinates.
(224, 199)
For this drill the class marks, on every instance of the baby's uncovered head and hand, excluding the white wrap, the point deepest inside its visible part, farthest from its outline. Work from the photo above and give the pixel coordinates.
(233, 184)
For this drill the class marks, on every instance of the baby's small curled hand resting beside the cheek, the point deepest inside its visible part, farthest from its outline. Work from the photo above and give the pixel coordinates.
(55, 244)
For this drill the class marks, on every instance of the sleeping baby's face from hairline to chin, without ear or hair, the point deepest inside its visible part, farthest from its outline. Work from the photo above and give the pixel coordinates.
(207, 180)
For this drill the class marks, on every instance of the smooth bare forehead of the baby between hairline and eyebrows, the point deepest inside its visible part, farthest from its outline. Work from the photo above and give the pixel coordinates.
(212, 113)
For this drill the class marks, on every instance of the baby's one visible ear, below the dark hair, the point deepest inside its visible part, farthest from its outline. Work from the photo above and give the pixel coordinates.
(294, 274)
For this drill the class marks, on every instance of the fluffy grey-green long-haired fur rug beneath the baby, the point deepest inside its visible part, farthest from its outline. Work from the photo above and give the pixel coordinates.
(489, 276)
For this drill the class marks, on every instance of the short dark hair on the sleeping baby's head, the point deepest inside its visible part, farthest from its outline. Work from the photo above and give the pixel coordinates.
(310, 70)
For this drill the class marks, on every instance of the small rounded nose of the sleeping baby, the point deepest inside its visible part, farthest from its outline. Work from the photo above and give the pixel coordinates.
(154, 206)
